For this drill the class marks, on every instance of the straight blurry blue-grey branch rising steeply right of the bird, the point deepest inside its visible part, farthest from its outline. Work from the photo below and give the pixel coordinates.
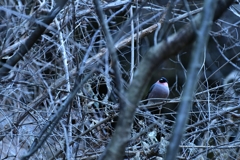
(186, 100)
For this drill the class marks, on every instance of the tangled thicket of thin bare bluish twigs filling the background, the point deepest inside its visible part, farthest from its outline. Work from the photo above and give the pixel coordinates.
(38, 85)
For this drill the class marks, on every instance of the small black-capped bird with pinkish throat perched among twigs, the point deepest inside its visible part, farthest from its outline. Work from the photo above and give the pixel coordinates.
(159, 89)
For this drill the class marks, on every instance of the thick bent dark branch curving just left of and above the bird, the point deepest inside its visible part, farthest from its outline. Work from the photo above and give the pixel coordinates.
(155, 56)
